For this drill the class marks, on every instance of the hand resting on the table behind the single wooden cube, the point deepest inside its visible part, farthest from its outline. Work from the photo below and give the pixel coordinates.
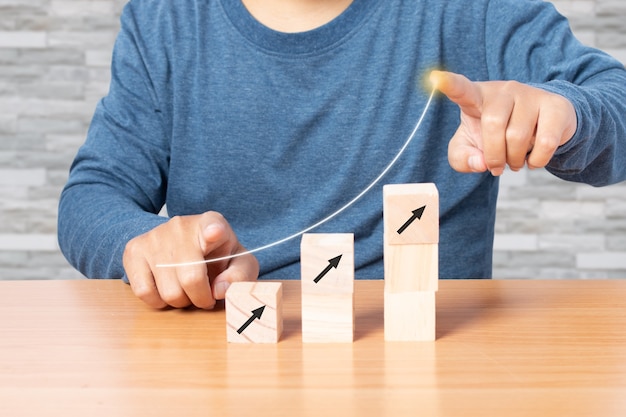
(187, 239)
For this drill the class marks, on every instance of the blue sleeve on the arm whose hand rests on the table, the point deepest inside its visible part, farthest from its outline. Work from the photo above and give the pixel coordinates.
(118, 180)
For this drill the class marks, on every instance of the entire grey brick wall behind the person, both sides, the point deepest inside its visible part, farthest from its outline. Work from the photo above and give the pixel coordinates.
(54, 66)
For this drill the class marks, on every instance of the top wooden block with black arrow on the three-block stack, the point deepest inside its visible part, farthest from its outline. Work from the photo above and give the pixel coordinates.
(411, 213)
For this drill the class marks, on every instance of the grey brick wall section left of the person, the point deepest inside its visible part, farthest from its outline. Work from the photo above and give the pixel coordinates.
(54, 66)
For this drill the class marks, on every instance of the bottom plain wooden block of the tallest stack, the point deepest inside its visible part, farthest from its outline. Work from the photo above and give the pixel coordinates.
(410, 316)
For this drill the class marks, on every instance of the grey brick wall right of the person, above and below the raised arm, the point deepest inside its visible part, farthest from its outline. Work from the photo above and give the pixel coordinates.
(554, 229)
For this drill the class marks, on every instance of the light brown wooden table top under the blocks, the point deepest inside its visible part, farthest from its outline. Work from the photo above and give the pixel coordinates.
(504, 348)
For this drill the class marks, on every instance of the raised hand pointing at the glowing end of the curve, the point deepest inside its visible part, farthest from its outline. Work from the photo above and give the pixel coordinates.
(504, 123)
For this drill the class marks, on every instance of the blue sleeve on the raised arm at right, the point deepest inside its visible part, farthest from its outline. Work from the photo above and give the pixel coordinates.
(529, 41)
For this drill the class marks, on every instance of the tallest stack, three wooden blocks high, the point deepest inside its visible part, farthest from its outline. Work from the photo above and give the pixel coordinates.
(411, 260)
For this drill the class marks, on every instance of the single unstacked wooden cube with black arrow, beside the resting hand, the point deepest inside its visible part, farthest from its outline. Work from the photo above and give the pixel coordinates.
(254, 312)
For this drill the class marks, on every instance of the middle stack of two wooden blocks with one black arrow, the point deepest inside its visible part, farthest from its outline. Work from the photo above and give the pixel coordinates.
(327, 280)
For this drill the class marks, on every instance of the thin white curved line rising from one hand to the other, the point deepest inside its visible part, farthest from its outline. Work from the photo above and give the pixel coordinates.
(326, 219)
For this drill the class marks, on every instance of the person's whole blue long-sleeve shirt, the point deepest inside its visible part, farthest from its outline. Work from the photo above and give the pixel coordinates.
(210, 110)
